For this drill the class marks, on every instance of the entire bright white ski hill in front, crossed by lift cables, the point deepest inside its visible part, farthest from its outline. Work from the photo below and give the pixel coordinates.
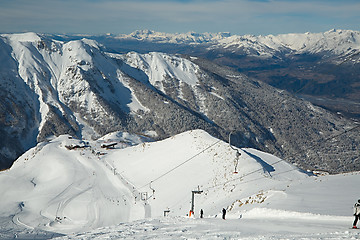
(74, 189)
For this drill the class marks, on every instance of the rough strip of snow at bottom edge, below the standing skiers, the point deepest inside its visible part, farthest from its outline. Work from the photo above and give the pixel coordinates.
(216, 228)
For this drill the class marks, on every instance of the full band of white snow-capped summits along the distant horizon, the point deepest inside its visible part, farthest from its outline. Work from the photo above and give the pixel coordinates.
(342, 43)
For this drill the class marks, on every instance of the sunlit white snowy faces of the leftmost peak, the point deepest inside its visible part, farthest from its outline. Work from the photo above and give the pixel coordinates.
(44, 65)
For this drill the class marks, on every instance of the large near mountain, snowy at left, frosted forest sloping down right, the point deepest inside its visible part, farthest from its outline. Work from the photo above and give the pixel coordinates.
(52, 87)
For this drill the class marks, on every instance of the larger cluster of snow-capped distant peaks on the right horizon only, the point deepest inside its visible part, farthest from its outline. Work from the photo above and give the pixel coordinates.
(337, 42)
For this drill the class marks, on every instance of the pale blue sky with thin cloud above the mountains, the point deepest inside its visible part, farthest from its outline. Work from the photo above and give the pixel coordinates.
(258, 17)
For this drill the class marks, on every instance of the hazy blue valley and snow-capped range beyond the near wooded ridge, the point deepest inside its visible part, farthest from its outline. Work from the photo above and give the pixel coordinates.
(320, 67)
